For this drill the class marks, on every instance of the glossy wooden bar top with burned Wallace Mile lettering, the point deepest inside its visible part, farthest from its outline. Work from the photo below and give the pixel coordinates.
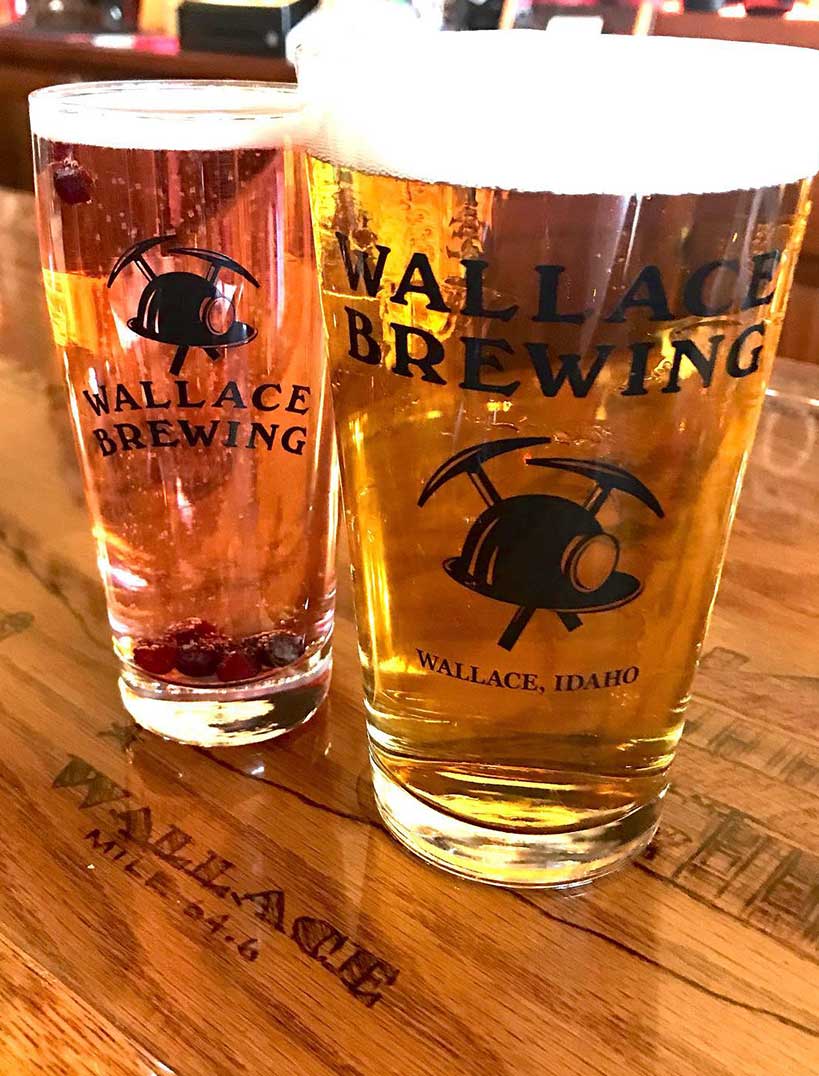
(173, 911)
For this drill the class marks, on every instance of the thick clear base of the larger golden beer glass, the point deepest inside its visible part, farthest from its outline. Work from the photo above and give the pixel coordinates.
(513, 859)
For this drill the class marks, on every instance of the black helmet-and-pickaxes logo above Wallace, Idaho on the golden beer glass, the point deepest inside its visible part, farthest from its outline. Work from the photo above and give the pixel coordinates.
(539, 551)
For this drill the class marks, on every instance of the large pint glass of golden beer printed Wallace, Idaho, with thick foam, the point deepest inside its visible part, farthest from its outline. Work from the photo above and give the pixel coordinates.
(553, 277)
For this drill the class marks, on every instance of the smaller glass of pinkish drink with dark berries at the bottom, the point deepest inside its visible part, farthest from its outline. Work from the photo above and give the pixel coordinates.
(180, 277)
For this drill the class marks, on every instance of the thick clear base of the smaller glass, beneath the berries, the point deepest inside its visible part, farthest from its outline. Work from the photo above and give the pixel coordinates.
(229, 716)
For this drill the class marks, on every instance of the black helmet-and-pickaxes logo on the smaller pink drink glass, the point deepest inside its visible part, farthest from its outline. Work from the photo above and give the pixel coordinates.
(183, 308)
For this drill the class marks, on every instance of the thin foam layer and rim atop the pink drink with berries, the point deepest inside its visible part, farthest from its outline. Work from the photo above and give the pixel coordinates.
(168, 116)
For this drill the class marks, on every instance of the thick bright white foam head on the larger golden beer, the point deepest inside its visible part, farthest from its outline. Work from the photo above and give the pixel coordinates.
(534, 111)
